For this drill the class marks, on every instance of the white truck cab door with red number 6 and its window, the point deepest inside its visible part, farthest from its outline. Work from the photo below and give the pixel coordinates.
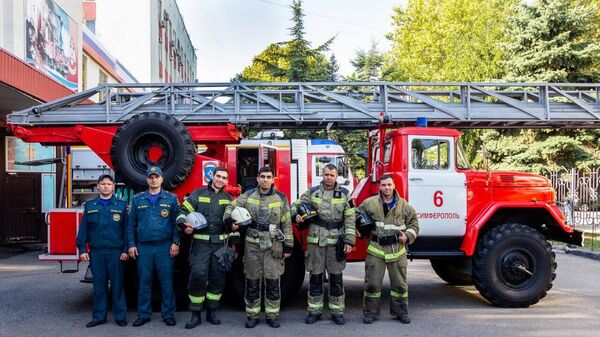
(435, 189)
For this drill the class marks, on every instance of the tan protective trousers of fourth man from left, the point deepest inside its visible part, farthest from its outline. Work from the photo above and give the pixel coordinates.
(258, 264)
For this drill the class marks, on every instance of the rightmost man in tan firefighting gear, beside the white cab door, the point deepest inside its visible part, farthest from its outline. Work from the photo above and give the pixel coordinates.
(396, 226)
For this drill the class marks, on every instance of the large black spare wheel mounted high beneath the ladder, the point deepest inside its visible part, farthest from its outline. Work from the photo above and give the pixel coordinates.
(157, 139)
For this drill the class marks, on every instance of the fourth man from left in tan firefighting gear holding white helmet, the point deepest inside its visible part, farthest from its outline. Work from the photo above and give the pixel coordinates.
(269, 240)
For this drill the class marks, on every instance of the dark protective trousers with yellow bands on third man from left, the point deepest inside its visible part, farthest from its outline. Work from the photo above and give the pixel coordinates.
(206, 280)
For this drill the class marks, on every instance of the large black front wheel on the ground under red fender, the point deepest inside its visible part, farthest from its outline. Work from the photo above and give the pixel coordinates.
(513, 266)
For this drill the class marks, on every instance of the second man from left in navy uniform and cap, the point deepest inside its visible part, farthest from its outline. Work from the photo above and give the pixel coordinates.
(154, 242)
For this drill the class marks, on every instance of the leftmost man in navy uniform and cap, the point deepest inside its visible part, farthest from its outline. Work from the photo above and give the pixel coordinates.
(104, 228)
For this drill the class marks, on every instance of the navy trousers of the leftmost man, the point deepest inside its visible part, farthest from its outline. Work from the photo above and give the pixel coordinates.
(106, 266)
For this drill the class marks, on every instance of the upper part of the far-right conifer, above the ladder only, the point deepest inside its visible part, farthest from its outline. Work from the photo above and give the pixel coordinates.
(553, 41)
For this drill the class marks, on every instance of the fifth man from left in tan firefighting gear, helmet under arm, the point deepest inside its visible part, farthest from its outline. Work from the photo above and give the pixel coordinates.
(330, 237)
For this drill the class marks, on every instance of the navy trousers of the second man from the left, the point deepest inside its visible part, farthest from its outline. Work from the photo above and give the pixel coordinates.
(155, 256)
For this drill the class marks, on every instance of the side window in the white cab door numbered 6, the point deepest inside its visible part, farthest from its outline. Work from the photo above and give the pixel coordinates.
(430, 154)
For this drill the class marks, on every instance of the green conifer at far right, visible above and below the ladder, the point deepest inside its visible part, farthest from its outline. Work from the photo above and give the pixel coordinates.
(550, 41)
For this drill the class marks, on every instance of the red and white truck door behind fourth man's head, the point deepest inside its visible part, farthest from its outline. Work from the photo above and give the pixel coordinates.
(278, 159)
